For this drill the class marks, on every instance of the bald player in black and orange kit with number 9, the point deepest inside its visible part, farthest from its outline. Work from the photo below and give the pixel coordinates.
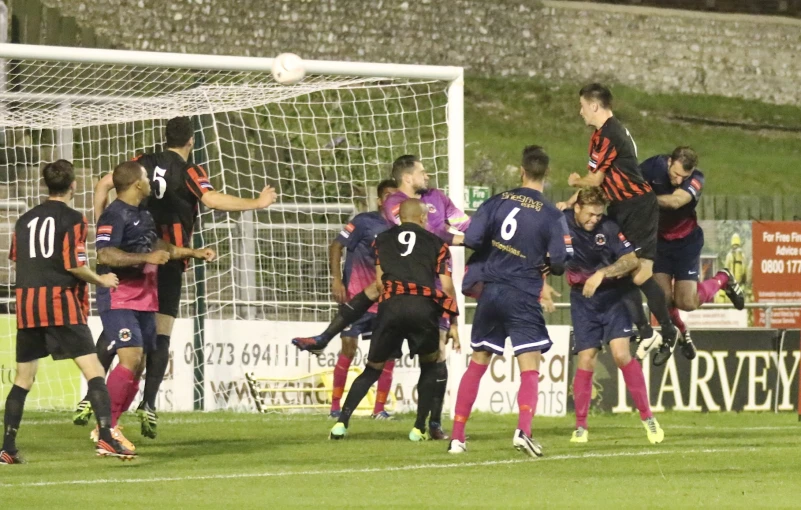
(408, 260)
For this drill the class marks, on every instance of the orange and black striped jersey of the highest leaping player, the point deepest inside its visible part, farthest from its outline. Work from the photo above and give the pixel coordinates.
(613, 152)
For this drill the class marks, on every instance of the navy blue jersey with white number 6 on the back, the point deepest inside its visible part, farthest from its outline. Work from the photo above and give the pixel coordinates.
(514, 231)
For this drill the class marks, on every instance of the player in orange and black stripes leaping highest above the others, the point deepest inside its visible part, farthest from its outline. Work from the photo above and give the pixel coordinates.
(633, 206)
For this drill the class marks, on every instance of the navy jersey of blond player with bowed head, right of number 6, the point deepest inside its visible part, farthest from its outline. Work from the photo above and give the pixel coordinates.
(594, 250)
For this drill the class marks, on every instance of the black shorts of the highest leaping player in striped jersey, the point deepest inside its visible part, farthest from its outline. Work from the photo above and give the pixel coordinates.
(638, 219)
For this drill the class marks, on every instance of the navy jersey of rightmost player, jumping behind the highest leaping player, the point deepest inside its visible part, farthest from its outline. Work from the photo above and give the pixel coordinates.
(673, 223)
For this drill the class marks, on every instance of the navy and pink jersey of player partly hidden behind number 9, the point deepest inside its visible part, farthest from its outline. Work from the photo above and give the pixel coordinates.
(358, 236)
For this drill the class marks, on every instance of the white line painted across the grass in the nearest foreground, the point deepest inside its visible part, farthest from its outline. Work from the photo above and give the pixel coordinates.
(413, 467)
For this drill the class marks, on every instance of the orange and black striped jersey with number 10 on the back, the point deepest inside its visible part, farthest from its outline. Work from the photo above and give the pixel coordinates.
(48, 241)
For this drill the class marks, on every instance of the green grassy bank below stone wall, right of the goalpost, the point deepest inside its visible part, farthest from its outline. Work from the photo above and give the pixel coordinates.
(504, 115)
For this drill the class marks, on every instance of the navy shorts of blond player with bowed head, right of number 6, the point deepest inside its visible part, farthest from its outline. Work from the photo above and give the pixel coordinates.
(599, 319)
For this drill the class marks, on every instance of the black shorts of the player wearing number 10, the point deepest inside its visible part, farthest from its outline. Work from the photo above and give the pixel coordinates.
(60, 342)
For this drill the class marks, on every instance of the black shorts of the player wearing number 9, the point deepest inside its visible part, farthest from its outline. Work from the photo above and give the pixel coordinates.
(413, 318)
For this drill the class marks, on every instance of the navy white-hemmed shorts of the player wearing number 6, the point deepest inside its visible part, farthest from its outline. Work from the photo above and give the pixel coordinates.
(507, 312)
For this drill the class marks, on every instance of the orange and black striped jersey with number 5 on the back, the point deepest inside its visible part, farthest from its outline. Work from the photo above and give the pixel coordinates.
(176, 188)
